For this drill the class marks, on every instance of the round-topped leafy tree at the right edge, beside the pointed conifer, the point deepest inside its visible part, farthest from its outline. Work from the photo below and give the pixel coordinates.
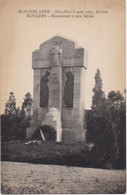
(117, 114)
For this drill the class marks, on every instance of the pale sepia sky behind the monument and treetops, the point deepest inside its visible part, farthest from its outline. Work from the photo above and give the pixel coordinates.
(103, 36)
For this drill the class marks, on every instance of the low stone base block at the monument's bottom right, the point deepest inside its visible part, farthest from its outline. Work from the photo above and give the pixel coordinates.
(73, 135)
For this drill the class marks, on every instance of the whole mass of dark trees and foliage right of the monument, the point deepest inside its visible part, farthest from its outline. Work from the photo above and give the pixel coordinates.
(106, 126)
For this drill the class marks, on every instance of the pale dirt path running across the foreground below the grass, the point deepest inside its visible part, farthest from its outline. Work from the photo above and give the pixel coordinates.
(24, 178)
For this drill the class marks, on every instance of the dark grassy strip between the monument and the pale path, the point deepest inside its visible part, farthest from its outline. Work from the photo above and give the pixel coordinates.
(79, 154)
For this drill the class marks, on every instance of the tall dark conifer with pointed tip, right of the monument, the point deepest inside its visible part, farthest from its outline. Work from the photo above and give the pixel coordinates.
(102, 129)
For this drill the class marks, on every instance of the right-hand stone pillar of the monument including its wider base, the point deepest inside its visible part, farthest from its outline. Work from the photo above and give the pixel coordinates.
(73, 117)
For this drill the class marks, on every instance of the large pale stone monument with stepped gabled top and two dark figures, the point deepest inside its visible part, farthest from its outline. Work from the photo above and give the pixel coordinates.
(59, 79)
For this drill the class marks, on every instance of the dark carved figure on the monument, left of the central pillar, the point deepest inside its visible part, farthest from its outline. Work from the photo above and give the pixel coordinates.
(44, 90)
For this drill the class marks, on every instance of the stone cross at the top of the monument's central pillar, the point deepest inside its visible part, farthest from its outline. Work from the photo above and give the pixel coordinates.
(56, 52)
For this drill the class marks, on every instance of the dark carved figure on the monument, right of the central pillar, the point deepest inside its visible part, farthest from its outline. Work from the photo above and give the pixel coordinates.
(68, 89)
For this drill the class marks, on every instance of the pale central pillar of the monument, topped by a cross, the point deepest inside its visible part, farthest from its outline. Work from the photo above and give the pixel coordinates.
(53, 117)
